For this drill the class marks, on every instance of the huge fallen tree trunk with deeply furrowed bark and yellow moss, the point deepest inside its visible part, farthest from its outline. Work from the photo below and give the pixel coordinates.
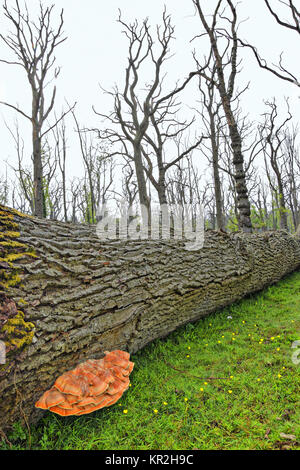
(66, 296)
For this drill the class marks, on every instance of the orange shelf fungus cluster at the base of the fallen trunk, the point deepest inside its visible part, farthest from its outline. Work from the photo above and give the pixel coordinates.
(92, 385)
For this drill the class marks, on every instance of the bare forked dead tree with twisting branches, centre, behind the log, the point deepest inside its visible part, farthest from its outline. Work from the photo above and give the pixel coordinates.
(132, 114)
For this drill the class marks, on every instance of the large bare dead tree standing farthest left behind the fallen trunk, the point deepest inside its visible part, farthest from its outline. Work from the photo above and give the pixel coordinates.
(33, 44)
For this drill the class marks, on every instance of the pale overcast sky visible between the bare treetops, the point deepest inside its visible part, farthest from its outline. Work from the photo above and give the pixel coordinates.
(96, 53)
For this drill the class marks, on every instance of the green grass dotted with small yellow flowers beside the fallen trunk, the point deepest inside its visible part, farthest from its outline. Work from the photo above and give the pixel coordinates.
(219, 383)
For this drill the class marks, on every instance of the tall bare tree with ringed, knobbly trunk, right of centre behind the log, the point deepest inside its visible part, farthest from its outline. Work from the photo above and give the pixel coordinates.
(225, 86)
